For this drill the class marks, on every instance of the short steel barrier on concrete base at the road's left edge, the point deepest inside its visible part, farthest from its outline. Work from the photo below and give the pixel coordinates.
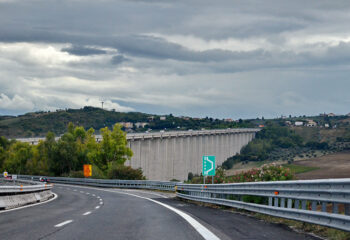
(22, 193)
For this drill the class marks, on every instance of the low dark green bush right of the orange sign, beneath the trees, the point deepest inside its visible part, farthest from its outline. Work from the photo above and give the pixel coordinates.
(125, 173)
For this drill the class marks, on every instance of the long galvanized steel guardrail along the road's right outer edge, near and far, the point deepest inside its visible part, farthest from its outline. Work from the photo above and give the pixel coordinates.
(324, 202)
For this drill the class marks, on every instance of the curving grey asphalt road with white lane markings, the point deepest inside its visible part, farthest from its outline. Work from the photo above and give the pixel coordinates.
(90, 213)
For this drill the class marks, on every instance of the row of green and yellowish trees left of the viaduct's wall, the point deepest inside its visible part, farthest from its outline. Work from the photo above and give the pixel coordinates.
(67, 155)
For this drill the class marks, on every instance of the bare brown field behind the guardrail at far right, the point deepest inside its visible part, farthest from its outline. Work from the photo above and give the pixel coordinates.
(335, 165)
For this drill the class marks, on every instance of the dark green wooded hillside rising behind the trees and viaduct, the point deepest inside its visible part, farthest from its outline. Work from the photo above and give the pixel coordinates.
(39, 123)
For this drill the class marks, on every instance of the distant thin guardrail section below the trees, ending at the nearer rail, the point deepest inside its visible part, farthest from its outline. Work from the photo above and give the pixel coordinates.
(136, 184)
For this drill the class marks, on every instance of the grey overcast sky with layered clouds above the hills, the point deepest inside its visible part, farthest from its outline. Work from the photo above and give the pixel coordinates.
(223, 58)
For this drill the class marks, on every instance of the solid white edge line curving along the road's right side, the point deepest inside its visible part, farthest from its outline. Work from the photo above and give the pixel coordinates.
(203, 231)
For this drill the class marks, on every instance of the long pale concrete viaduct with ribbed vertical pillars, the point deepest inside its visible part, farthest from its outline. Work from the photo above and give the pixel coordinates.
(172, 155)
